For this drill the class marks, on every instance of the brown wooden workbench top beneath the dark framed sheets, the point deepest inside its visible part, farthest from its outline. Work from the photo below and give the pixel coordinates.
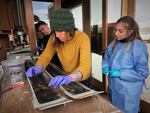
(20, 101)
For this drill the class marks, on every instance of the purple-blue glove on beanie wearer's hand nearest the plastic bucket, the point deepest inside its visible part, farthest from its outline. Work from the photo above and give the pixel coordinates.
(34, 70)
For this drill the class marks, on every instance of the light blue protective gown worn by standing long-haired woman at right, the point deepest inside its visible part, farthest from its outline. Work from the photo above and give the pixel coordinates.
(132, 60)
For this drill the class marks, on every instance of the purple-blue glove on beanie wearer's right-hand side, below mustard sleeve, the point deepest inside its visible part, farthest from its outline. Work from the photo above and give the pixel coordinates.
(60, 80)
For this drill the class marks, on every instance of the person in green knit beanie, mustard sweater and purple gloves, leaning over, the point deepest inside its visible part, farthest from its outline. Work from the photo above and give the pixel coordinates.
(72, 47)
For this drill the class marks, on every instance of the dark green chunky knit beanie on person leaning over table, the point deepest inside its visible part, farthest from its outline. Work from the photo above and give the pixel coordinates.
(61, 20)
